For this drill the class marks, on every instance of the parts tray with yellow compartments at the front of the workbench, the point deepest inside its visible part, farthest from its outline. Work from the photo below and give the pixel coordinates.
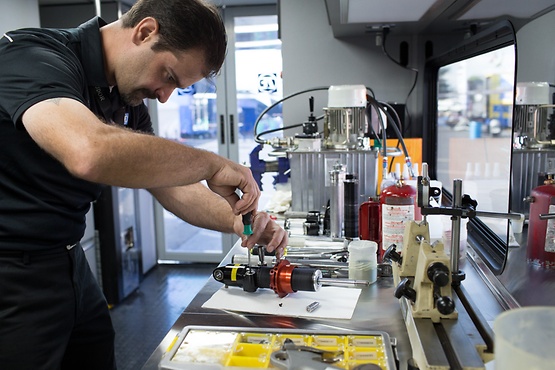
(215, 348)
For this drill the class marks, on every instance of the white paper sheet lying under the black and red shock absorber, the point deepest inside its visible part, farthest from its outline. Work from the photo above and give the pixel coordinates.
(335, 302)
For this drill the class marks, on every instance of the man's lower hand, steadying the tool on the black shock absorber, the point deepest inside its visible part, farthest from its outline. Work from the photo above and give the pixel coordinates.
(266, 232)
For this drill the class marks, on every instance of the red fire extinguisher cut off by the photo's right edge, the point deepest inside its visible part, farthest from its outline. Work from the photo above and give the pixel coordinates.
(540, 249)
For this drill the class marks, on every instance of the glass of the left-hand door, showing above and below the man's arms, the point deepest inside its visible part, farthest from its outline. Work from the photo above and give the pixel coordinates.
(189, 117)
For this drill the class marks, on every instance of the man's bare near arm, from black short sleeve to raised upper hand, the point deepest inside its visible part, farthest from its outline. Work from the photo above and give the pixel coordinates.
(102, 153)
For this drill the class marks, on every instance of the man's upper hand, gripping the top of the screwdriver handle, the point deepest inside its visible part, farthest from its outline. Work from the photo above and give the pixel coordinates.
(228, 179)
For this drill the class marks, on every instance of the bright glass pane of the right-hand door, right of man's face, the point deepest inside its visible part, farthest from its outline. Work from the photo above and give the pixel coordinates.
(257, 84)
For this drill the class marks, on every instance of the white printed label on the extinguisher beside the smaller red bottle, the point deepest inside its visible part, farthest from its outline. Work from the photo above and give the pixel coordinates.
(394, 219)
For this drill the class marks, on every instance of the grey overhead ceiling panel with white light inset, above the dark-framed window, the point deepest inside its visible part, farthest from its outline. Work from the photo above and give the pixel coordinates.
(357, 17)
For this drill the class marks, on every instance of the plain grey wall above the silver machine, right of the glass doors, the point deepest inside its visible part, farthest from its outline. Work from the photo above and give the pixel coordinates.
(313, 57)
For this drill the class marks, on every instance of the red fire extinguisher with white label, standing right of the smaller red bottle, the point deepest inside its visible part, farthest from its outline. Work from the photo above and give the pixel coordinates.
(397, 206)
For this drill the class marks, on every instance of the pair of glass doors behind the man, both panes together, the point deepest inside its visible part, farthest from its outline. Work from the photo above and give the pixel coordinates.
(219, 116)
